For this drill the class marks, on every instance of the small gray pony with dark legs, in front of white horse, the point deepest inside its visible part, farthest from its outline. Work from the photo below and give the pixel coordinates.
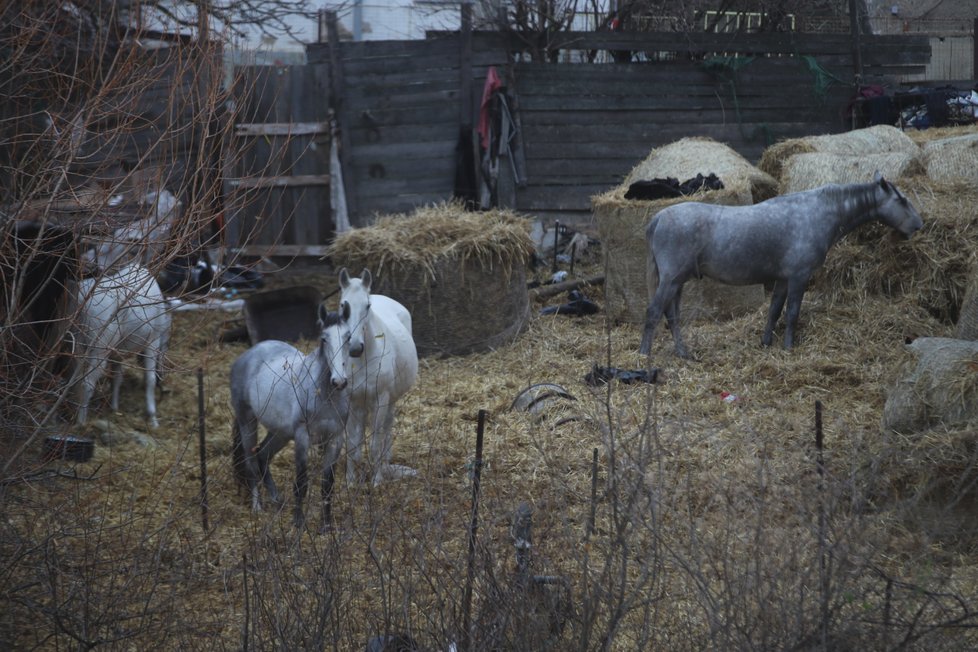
(296, 397)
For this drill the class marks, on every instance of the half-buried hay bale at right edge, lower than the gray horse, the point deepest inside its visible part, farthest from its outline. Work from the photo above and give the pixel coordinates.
(938, 387)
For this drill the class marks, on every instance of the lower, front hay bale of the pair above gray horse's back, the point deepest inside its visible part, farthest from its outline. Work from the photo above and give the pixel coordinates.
(814, 169)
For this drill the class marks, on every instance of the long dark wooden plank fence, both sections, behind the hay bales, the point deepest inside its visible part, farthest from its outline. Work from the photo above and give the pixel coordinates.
(407, 109)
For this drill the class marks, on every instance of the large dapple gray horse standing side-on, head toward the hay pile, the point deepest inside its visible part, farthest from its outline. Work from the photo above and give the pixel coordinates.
(780, 242)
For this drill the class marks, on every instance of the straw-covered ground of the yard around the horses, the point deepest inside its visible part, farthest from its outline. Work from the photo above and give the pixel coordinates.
(711, 519)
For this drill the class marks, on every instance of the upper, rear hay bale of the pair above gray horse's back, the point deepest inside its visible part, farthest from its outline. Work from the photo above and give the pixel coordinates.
(877, 139)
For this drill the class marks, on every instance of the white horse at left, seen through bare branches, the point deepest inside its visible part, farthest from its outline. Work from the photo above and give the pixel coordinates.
(122, 313)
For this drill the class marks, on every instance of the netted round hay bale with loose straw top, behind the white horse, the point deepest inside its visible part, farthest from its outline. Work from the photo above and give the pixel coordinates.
(461, 275)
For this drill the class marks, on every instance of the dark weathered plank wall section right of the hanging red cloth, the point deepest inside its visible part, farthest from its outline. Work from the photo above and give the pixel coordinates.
(585, 126)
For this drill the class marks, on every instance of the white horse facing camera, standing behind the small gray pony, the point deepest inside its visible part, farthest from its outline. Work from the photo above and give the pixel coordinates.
(383, 367)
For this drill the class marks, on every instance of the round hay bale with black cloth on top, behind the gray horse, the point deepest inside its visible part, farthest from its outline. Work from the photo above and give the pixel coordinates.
(622, 222)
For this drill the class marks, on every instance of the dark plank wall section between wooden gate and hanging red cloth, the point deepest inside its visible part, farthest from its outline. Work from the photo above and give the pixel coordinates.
(402, 107)
